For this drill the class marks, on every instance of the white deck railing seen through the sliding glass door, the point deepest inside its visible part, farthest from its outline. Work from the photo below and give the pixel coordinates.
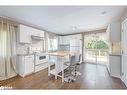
(96, 55)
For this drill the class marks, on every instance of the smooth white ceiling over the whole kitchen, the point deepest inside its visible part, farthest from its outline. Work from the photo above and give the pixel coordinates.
(65, 19)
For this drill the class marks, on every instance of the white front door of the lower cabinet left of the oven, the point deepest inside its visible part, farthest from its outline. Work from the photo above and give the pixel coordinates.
(29, 64)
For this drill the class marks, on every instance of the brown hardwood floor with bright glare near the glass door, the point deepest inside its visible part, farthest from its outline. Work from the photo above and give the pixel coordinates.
(93, 77)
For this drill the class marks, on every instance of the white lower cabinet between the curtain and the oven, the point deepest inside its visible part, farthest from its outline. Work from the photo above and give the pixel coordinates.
(25, 64)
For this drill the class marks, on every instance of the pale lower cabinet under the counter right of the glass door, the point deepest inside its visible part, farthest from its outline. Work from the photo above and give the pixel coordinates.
(114, 65)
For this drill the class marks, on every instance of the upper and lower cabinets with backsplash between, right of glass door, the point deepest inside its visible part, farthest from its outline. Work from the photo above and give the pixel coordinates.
(114, 58)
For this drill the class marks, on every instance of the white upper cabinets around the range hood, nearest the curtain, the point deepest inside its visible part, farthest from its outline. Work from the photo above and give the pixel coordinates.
(25, 33)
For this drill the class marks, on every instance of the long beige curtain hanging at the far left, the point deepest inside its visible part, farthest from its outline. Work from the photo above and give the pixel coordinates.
(7, 50)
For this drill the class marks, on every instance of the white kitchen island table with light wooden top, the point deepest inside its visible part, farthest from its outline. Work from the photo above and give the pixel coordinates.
(59, 64)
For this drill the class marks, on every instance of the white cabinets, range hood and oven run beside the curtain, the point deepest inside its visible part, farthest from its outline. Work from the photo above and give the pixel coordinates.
(31, 50)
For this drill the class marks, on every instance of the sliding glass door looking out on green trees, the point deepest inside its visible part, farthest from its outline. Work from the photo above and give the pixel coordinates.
(95, 48)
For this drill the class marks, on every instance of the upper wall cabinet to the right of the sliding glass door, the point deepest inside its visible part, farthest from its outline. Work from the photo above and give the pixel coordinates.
(113, 32)
